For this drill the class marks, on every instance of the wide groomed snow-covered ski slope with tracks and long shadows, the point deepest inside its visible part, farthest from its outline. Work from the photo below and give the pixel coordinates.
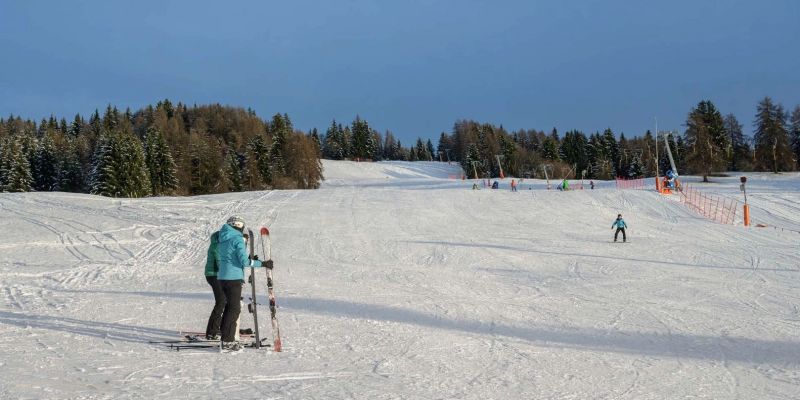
(395, 282)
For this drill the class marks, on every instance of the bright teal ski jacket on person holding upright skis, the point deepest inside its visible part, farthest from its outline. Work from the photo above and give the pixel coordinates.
(231, 256)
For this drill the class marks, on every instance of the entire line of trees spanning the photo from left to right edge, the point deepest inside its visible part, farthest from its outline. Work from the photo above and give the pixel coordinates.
(167, 149)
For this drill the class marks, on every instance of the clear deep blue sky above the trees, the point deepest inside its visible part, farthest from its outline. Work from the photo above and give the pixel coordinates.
(410, 66)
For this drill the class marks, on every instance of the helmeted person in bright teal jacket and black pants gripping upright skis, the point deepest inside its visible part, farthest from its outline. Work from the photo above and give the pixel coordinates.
(231, 259)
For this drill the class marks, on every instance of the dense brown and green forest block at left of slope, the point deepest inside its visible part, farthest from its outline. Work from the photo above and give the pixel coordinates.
(164, 149)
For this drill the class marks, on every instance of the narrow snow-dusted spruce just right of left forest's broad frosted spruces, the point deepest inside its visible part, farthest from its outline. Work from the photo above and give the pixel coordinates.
(160, 164)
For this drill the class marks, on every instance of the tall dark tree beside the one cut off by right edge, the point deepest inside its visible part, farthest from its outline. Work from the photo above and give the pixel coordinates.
(771, 137)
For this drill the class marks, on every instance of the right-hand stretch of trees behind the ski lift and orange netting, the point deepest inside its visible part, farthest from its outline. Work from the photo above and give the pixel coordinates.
(710, 143)
